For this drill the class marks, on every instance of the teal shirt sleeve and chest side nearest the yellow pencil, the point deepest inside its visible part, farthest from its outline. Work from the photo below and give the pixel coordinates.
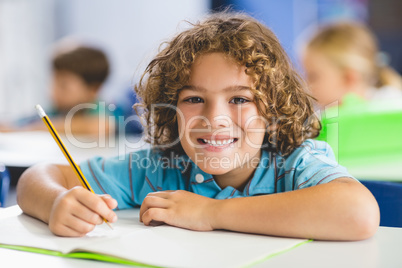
(129, 178)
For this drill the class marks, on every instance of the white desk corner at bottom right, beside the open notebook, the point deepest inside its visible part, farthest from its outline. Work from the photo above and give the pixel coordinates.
(382, 250)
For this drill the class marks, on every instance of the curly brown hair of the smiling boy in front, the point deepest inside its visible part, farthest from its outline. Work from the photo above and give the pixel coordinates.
(279, 91)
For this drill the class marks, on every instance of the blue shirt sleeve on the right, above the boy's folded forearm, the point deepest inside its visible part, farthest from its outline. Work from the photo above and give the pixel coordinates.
(314, 163)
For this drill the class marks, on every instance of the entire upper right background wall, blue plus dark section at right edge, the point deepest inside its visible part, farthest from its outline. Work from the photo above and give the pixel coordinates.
(293, 20)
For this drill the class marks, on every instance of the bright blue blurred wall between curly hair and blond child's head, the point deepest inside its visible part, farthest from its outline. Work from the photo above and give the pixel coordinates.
(293, 20)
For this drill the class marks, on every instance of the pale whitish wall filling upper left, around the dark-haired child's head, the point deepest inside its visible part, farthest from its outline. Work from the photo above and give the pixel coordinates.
(129, 30)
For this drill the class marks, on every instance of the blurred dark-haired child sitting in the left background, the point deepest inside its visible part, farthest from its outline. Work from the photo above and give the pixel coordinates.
(78, 73)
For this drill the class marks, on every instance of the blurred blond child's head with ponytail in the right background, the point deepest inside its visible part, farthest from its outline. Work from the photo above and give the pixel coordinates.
(343, 58)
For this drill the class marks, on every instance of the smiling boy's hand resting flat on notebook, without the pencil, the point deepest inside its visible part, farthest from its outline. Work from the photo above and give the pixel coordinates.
(178, 208)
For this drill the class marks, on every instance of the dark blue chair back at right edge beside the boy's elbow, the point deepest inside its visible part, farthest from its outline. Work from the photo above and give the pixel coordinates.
(389, 198)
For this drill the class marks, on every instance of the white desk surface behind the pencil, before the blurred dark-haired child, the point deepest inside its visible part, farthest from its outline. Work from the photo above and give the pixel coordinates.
(23, 149)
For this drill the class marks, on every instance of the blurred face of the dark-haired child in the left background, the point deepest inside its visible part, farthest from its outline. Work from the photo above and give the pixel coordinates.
(69, 90)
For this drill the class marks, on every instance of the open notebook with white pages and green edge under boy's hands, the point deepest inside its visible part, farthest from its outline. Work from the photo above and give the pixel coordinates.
(133, 243)
